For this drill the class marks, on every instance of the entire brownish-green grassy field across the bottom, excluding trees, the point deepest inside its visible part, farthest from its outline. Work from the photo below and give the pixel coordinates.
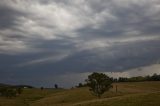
(129, 94)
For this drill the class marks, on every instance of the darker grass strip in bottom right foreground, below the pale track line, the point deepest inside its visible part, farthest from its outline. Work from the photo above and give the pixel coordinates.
(147, 99)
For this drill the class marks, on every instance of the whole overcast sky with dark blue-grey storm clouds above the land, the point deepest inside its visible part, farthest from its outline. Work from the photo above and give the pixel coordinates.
(43, 42)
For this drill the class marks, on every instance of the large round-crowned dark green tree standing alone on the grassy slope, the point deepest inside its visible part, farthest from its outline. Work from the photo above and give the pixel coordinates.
(98, 83)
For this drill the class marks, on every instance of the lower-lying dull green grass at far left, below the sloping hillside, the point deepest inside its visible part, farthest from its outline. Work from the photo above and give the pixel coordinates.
(27, 97)
